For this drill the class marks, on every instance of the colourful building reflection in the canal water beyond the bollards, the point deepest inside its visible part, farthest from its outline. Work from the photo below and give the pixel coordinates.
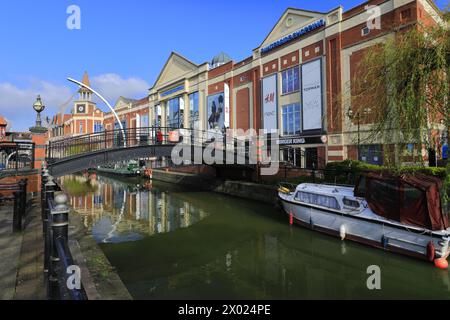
(119, 211)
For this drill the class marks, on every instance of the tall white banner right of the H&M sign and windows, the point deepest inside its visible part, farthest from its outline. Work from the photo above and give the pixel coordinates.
(312, 99)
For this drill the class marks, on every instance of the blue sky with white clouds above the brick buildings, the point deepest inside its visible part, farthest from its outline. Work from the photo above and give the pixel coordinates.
(122, 44)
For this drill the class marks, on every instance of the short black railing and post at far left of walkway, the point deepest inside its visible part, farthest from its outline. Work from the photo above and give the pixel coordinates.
(19, 196)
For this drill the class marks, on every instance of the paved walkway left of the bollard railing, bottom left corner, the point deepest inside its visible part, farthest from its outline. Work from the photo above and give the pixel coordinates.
(21, 257)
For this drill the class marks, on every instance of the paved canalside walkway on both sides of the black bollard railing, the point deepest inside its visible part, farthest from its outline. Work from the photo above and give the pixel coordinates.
(22, 260)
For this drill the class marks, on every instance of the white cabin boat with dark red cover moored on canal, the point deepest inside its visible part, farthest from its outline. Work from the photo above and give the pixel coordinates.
(343, 212)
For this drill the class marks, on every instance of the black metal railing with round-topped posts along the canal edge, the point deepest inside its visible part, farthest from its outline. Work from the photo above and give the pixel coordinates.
(62, 279)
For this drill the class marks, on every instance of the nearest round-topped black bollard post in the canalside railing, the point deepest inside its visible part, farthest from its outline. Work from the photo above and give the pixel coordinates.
(60, 232)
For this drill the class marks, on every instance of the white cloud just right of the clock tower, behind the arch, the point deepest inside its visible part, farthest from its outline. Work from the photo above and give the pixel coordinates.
(112, 86)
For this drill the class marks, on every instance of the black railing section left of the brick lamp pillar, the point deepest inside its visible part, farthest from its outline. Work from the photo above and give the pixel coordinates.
(15, 156)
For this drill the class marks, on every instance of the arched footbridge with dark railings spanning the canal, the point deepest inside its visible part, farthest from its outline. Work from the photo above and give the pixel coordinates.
(78, 153)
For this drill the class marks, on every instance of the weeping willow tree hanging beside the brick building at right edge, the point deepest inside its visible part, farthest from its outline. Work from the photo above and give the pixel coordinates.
(401, 88)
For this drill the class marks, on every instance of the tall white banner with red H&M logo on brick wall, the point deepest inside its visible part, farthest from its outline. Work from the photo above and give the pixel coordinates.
(270, 103)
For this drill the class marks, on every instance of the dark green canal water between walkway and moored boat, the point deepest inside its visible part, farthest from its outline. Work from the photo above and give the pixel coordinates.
(168, 242)
